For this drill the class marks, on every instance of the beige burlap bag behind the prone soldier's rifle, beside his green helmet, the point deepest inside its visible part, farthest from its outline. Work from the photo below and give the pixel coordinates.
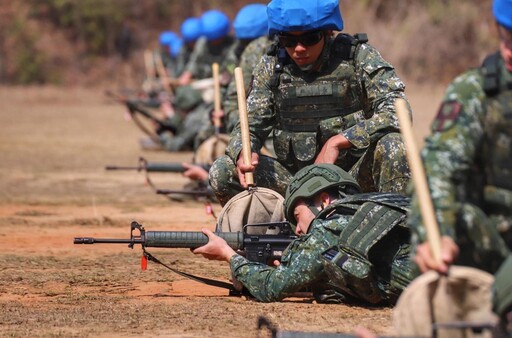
(257, 205)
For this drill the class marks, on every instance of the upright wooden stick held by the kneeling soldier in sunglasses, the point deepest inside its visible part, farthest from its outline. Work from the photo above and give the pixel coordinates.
(244, 123)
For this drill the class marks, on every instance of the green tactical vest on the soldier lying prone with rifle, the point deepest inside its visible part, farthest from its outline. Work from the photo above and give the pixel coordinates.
(374, 237)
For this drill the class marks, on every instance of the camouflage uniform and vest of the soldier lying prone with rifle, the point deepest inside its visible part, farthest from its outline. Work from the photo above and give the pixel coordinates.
(357, 246)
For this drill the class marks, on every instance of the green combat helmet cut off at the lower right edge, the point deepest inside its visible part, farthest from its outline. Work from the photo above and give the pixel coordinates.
(502, 298)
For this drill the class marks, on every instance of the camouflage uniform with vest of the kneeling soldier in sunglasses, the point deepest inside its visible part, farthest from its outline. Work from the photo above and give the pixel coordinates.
(354, 94)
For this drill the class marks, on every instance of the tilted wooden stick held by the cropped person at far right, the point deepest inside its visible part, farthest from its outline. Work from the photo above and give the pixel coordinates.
(420, 180)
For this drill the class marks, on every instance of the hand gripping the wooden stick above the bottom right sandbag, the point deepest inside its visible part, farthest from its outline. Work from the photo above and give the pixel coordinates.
(425, 260)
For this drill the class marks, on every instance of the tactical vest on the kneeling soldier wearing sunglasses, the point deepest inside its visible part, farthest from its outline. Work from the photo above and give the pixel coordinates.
(312, 107)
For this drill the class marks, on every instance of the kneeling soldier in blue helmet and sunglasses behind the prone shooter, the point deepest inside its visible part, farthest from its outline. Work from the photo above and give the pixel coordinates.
(327, 98)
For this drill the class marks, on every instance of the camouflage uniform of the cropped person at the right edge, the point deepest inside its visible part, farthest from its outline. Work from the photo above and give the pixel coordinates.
(468, 163)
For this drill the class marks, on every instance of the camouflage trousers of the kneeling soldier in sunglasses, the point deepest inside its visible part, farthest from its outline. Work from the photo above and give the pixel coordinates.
(382, 167)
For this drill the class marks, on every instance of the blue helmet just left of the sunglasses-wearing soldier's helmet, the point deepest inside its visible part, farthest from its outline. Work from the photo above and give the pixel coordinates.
(251, 22)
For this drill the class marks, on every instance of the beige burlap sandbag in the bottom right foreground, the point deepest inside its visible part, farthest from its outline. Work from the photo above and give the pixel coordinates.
(463, 296)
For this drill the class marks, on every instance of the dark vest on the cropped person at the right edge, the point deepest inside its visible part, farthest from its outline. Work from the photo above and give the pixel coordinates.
(497, 142)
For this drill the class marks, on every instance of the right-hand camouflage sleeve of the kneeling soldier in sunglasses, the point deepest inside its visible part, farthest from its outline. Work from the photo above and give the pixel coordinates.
(381, 87)
